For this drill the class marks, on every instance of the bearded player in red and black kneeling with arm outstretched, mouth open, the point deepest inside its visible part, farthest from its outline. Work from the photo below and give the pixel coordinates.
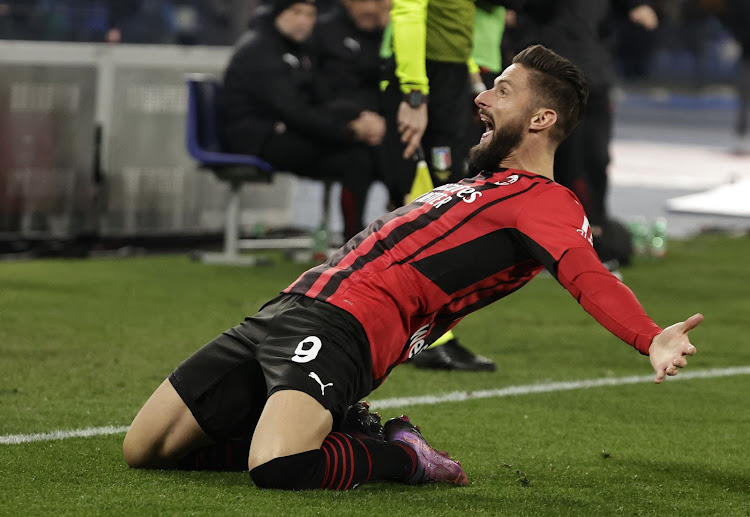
(281, 382)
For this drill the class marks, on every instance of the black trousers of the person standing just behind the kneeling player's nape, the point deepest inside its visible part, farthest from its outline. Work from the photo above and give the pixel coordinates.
(582, 159)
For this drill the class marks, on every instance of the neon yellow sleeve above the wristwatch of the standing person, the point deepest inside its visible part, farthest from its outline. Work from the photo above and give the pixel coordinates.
(409, 24)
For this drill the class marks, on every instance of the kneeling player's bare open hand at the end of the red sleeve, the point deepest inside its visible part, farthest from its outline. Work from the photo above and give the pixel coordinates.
(669, 349)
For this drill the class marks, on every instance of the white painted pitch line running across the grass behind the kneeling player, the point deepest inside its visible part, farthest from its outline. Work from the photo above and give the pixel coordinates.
(455, 396)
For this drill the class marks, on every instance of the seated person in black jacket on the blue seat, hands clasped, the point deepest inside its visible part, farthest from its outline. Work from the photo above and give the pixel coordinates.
(270, 107)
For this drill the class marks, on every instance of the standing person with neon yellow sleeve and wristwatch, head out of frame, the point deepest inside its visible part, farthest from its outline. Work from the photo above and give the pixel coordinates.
(431, 45)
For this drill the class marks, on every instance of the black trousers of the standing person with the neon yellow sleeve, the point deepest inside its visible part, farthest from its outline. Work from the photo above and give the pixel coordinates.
(444, 141)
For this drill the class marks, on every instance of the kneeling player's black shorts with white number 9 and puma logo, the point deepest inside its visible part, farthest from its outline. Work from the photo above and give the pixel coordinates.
(294, 342)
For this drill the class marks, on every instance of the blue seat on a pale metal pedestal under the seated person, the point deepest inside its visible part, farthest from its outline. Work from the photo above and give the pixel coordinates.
(205, 146)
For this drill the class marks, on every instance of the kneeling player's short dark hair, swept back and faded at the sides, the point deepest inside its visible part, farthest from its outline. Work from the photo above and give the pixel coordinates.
(558, 84)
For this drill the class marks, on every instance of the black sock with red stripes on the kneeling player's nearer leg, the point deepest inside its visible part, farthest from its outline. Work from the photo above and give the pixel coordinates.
(342, 462)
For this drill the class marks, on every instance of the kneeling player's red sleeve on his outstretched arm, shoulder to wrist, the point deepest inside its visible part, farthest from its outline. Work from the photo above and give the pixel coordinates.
(575, 264)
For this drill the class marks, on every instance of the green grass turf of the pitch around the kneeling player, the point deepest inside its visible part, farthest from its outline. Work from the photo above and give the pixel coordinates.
(83, 344)
